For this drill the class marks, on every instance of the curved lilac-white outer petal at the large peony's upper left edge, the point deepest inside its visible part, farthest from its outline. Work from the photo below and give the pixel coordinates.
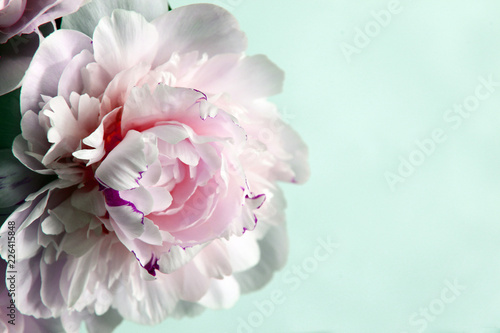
(48, 64)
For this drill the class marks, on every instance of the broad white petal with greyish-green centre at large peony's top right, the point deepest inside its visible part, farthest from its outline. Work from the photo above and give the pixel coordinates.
(202, 27)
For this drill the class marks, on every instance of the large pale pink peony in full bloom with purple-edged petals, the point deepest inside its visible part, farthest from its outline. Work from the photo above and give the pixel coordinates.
(167, 156)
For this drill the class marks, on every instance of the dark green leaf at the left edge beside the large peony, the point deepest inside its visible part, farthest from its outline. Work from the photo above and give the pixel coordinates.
(10, 110)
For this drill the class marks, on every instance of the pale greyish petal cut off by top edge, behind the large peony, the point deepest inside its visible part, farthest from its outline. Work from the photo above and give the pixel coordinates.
(86, 18)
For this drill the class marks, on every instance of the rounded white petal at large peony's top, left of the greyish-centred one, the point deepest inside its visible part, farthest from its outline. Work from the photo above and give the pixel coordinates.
(123, 41)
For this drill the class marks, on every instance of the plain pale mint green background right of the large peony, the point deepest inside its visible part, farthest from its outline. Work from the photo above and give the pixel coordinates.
(396, 249)
